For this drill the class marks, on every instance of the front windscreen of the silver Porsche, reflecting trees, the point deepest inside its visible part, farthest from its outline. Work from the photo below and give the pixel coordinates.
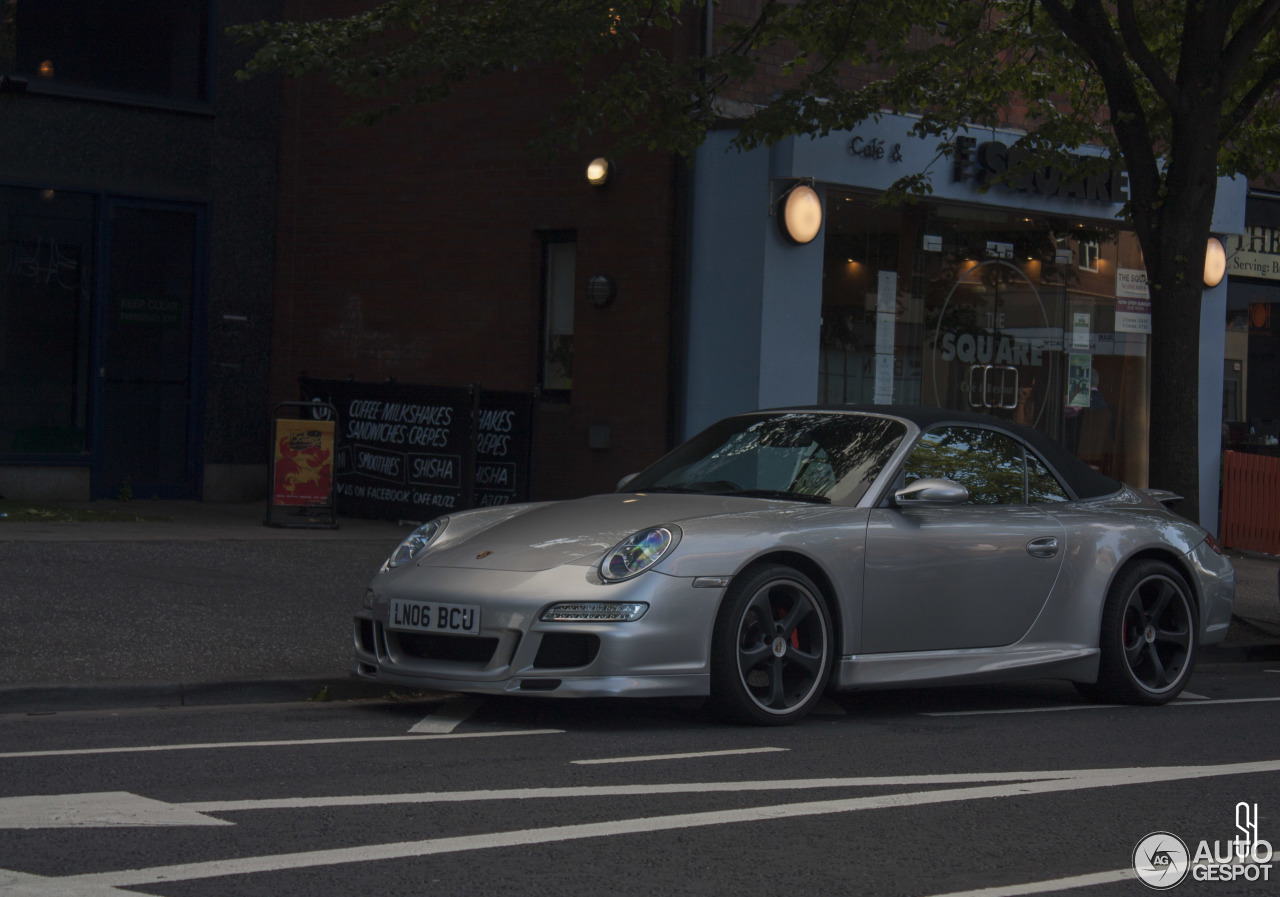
(798, 456)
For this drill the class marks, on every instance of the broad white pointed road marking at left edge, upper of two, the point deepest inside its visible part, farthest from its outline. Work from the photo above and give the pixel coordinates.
(107, 809)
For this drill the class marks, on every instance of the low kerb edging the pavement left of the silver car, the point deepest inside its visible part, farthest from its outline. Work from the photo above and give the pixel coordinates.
(39, 699)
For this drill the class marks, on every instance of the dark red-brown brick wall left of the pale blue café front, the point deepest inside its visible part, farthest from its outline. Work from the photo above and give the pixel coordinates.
(410, 249)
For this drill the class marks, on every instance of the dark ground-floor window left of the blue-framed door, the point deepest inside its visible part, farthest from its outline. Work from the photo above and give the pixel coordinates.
(45, 299)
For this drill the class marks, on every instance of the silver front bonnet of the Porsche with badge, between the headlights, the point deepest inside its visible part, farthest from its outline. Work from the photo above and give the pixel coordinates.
(561, 533)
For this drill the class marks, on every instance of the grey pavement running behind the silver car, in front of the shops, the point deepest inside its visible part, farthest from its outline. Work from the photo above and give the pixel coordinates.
(213, 607)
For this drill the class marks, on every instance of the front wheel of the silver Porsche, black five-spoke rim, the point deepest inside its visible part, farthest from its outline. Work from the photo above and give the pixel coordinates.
(772, 648)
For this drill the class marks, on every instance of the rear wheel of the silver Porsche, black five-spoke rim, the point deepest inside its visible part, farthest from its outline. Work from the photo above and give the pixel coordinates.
(1149, 637)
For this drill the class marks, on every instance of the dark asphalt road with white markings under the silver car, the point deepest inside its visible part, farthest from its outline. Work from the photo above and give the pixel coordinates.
(1023, 789)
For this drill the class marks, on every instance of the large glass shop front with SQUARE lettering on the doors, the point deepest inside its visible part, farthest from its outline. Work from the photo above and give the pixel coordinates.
(918, 309)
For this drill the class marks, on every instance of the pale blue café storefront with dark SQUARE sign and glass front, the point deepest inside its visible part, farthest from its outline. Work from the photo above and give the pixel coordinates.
(1025, 301)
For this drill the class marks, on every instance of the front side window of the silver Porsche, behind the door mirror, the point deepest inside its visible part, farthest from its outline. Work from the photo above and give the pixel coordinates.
(990, 465)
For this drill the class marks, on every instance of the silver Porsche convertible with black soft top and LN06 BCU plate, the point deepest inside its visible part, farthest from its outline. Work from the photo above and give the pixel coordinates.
(784, 553)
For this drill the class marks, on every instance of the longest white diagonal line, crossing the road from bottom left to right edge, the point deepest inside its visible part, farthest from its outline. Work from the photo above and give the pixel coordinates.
(92, 884)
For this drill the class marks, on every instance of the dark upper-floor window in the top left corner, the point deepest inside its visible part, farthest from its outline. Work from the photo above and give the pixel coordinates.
(156, 49)
